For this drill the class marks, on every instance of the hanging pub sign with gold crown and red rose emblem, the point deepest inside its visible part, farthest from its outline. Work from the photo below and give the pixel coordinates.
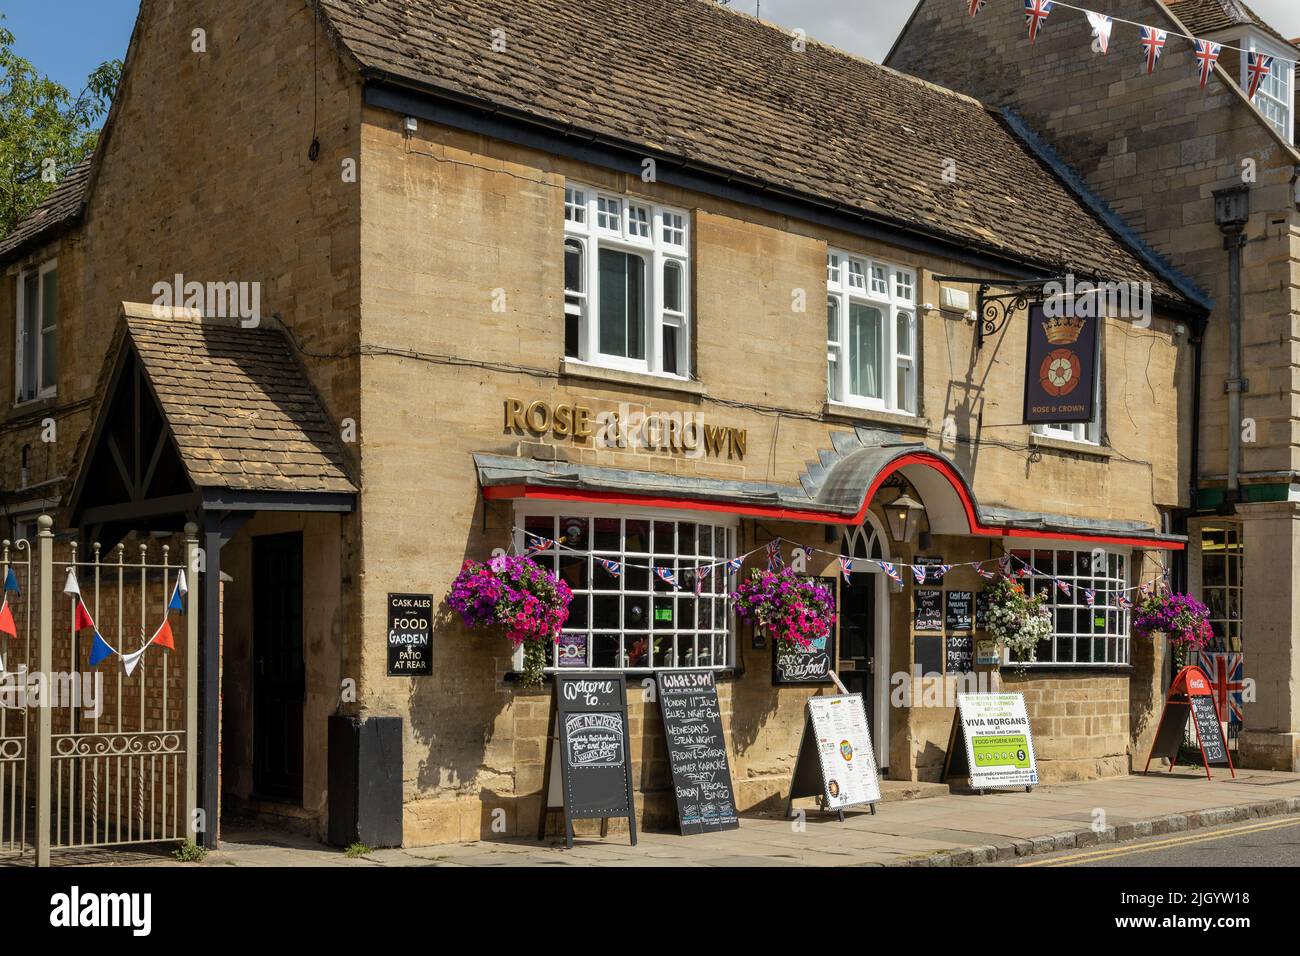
(1061, 366)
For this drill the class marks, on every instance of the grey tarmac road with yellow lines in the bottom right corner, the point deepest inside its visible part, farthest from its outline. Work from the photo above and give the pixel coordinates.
(1262, 843)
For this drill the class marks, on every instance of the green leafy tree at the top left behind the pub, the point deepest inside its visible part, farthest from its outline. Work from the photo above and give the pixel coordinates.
(45, 132)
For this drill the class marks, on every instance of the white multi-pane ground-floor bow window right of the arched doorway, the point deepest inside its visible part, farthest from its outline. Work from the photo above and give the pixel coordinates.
(1082, 634)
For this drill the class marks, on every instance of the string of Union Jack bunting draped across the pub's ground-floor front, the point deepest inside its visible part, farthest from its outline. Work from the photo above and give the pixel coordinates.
(1008, 565)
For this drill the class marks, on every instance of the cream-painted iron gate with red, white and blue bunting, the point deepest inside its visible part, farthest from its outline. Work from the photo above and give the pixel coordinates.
(105, 755)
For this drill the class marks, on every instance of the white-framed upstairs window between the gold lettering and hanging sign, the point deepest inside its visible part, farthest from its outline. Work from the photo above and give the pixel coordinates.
(870, 334)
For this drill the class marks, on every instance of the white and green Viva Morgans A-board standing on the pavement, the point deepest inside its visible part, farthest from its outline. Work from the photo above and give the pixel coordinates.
(996, 746)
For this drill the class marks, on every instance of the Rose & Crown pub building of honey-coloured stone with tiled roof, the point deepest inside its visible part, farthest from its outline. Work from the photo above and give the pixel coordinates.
(475, 232)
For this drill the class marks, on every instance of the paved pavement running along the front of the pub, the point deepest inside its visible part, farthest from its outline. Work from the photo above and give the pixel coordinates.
(947, 830)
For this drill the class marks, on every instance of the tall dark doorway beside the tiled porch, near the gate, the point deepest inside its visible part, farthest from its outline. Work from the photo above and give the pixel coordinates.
(279, 684)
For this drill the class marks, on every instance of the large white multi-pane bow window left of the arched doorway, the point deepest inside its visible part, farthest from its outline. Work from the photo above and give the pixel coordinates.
(625, 616)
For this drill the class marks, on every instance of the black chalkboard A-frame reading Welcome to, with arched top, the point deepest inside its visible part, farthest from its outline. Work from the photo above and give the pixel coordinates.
(590, 716)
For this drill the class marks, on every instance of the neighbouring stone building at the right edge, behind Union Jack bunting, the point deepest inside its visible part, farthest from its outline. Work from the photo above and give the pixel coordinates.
(1158, 149)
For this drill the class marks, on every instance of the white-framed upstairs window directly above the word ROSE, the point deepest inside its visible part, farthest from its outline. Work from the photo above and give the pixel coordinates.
(627, 274)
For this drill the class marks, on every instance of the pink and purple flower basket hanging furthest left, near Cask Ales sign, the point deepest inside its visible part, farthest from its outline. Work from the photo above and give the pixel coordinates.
(521, 596)
